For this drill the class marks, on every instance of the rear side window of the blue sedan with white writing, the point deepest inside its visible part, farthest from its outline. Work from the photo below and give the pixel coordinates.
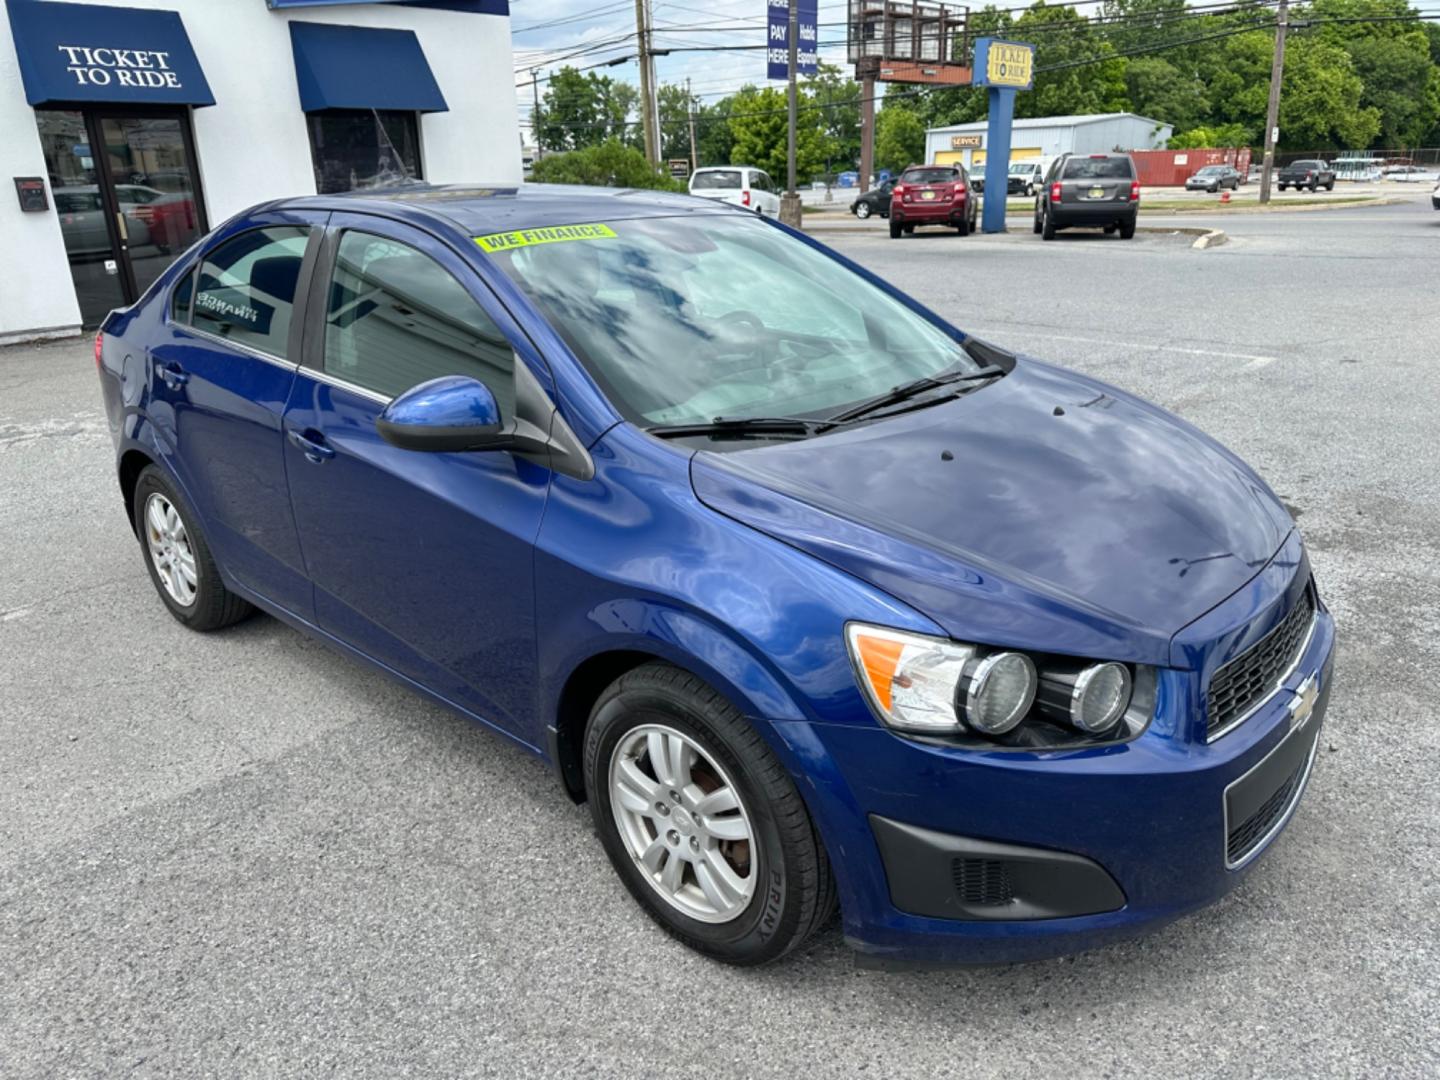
(247, 289)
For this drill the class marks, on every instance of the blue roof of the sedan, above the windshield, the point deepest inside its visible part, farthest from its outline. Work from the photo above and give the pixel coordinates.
(483, 210)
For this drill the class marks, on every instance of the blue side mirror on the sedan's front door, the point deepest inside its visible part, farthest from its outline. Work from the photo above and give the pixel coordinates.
(446, 415)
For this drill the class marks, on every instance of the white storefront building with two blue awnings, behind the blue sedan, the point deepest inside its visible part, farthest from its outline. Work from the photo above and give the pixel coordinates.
(132, 127)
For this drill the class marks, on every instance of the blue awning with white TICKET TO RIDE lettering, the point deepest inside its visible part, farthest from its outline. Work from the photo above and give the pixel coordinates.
(93, 53)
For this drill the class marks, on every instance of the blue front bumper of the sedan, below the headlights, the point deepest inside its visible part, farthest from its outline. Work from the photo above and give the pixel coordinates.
(1078, 849)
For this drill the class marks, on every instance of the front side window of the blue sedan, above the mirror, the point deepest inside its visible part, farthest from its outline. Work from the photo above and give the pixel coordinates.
(398, 319)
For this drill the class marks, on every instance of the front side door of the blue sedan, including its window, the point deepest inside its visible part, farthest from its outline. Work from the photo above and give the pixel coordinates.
(420, 561)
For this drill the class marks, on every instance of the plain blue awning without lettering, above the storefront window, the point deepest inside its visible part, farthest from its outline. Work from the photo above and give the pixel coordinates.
(362, 68)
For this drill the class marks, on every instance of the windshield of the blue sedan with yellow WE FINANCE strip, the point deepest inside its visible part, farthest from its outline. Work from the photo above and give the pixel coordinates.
(688, 319)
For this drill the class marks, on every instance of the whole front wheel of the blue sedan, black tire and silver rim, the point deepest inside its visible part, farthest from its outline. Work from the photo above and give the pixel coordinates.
(786, 869)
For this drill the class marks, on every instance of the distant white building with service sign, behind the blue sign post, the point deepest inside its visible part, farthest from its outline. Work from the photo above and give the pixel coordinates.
(1048, 138)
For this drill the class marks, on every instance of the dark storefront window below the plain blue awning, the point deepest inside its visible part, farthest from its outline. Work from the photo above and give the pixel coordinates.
(359, 149)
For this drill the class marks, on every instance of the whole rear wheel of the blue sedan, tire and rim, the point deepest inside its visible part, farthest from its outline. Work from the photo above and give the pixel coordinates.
(211, 606)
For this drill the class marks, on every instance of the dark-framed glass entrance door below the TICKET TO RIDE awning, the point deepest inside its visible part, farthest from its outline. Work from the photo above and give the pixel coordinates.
(127, 198)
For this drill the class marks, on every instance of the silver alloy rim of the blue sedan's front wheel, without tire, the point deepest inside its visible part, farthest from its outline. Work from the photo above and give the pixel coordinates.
(685, 824)
